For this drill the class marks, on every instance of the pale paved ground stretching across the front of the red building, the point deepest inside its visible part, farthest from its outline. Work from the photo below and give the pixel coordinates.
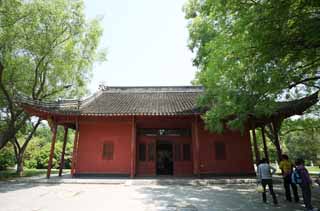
(33, 196)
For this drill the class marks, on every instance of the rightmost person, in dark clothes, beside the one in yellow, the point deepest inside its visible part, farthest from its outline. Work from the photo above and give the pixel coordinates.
(305, 184)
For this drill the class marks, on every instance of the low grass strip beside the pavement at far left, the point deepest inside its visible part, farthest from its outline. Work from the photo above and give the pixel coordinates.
(11, 173)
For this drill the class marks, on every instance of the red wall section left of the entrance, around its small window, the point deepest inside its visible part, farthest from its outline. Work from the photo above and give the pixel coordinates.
(92, 136)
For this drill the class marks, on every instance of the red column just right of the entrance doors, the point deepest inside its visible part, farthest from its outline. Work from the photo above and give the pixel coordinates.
(195, 144)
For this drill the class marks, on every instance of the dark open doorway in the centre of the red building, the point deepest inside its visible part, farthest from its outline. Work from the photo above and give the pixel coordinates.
(164, 158)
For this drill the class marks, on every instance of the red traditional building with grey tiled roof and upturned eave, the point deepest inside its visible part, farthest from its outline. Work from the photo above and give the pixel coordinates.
(144, 131)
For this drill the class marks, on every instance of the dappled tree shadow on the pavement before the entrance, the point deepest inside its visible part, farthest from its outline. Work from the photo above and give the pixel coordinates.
(213, 198)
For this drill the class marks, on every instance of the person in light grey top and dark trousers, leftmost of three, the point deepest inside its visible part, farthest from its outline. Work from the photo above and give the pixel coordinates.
(265, 172)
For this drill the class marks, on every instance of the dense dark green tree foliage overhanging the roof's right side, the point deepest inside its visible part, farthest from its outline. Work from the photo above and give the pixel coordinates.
(253, 53)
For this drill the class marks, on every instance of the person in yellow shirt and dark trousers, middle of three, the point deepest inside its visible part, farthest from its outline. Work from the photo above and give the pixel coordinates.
(286, 167)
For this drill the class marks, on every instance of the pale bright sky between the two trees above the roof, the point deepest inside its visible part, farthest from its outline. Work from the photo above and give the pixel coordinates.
(146, 43)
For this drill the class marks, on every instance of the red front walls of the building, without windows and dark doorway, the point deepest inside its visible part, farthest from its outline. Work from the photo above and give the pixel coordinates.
(93, 133)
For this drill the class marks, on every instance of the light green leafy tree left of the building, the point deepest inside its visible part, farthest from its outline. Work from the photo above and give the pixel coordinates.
(46, 50)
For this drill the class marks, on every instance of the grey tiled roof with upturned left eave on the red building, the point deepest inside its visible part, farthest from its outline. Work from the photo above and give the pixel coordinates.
(109, 101)
